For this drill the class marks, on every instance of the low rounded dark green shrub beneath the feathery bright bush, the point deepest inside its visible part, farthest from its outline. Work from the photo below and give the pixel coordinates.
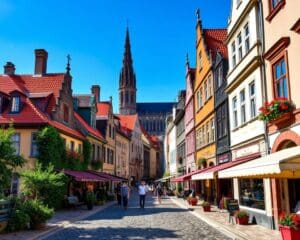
(38, 213)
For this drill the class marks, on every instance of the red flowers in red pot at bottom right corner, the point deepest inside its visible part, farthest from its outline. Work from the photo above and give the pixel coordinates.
(289, 226)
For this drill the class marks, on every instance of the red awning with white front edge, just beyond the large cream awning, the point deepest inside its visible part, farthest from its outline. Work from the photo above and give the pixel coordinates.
(211, 172)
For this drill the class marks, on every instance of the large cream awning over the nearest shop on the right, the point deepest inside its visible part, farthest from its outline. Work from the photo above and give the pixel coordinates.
(285, 163)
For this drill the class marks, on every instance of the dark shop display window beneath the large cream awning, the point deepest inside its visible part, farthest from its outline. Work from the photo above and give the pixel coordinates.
(252, 193)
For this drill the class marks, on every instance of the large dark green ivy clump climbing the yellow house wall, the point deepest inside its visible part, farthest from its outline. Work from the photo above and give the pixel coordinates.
(50, 147)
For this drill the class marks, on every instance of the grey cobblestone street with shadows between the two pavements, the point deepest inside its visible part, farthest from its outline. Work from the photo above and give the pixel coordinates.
(163, 221)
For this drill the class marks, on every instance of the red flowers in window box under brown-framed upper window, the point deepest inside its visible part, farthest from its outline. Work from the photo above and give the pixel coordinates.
(274, 110)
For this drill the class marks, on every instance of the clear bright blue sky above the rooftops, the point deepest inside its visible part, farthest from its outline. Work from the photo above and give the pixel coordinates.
(93, 33)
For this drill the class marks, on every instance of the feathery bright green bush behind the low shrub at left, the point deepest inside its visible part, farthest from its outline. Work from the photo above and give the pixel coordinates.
(45, 184)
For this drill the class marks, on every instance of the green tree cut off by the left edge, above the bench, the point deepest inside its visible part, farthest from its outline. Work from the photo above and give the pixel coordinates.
(9, 160)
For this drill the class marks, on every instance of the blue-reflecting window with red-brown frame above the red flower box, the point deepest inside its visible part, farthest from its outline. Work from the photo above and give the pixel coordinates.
(280, 79)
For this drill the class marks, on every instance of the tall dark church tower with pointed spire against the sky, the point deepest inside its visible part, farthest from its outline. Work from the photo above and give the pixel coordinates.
(127, 82)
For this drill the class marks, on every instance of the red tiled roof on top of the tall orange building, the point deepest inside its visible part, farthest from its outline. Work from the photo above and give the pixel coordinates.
(215, 41)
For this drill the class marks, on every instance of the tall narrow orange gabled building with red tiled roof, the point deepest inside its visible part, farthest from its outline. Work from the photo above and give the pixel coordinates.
(208, 42)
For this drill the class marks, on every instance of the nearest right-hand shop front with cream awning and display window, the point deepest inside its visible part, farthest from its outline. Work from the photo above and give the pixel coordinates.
(253, 184)
